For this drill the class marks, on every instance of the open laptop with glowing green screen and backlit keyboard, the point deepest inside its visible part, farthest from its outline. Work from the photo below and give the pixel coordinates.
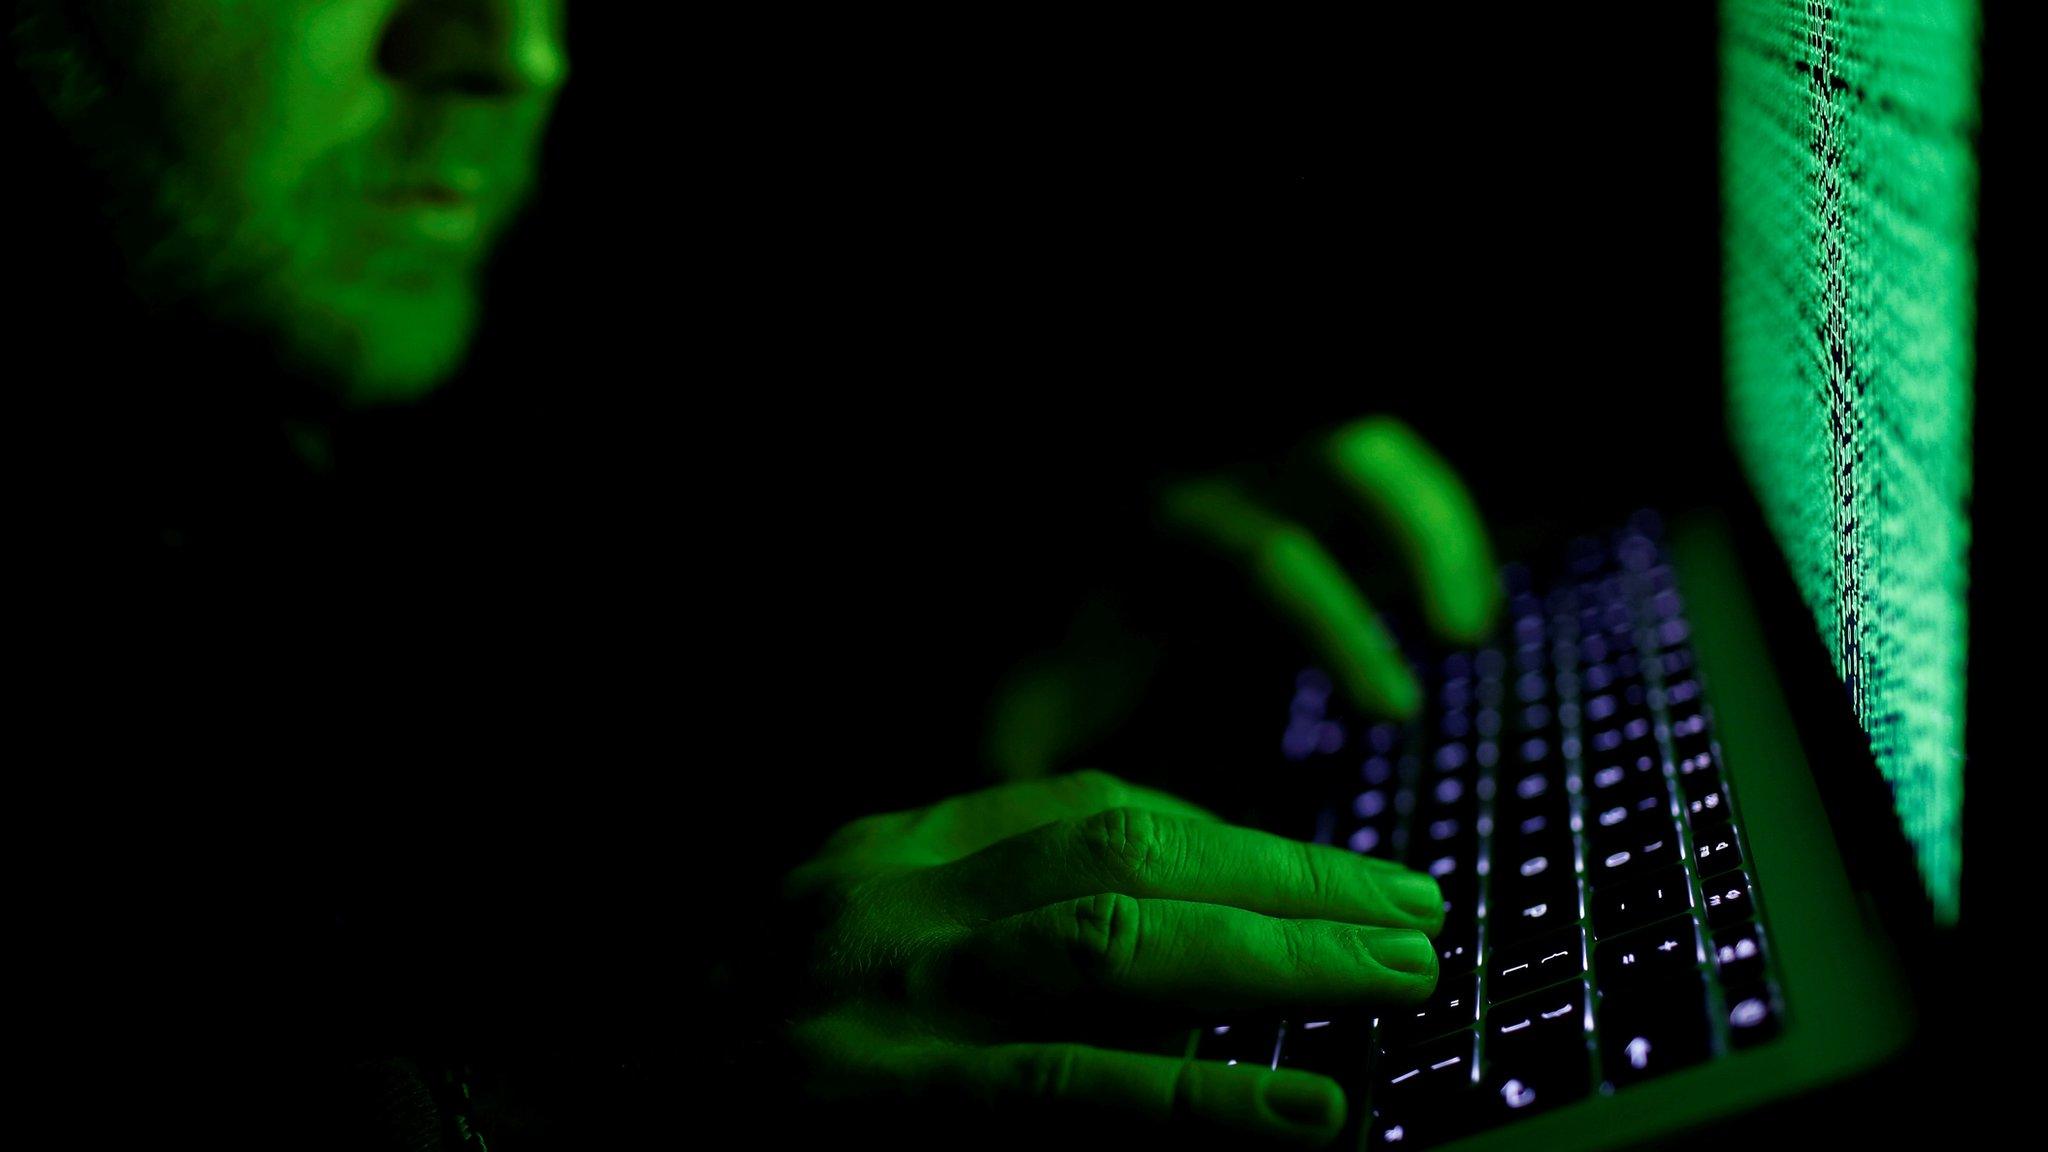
(1697, 809)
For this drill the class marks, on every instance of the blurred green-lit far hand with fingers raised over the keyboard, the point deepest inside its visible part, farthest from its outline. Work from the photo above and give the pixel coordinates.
(1281, 534)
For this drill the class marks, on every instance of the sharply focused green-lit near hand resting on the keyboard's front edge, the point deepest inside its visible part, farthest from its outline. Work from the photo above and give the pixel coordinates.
(968, 950)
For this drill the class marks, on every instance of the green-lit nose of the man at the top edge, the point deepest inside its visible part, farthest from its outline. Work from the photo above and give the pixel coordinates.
(480, 48)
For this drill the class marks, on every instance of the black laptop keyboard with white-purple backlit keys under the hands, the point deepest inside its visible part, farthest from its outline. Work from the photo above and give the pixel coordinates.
(1566, 790)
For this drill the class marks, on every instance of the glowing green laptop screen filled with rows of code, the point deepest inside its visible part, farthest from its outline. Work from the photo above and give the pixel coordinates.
(1848, 208)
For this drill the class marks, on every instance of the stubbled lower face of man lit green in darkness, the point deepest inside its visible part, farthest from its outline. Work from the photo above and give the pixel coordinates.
(327, 173)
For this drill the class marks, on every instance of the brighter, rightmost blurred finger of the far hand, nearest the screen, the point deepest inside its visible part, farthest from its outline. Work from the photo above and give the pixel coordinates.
(1400, 479)
